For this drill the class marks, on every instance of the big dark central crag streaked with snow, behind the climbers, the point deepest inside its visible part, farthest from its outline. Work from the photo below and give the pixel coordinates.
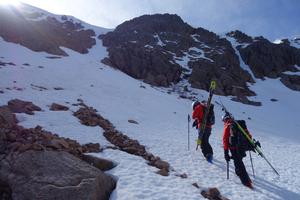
(162, 50)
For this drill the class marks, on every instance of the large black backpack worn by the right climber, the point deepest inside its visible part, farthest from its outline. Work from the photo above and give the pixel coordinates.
(238, 139)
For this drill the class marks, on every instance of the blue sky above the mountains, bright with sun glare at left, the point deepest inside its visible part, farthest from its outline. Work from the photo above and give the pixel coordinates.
(270, 18)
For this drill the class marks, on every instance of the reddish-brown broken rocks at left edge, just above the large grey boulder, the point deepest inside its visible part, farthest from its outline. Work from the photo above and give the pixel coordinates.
(15, 138)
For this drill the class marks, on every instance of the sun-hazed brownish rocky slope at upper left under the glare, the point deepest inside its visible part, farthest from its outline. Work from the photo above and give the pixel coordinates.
(40, 31)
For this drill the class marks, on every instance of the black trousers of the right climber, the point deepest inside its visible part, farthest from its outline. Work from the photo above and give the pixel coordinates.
(240, 168)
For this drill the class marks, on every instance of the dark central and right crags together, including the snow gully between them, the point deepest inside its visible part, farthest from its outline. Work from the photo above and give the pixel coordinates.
(132, 44)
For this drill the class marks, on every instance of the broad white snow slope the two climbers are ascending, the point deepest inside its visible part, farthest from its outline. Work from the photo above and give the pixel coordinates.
(162, 127)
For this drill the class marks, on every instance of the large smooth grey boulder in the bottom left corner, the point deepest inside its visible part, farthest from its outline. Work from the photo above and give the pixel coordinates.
(53, 175)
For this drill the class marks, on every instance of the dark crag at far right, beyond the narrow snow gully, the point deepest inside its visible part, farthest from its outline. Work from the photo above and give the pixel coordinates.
(267, 59)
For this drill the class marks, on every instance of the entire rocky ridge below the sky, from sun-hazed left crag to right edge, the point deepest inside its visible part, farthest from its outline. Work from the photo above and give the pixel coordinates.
(162, 50)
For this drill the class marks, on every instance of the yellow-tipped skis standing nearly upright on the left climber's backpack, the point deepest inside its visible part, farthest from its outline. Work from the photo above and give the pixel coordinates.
(212, 88)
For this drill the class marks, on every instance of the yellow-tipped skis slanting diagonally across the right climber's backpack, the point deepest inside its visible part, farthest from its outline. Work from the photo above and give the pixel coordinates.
(252, 142)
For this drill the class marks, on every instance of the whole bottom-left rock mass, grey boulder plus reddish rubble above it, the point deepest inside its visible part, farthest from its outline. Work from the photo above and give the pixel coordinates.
(37, 164)
